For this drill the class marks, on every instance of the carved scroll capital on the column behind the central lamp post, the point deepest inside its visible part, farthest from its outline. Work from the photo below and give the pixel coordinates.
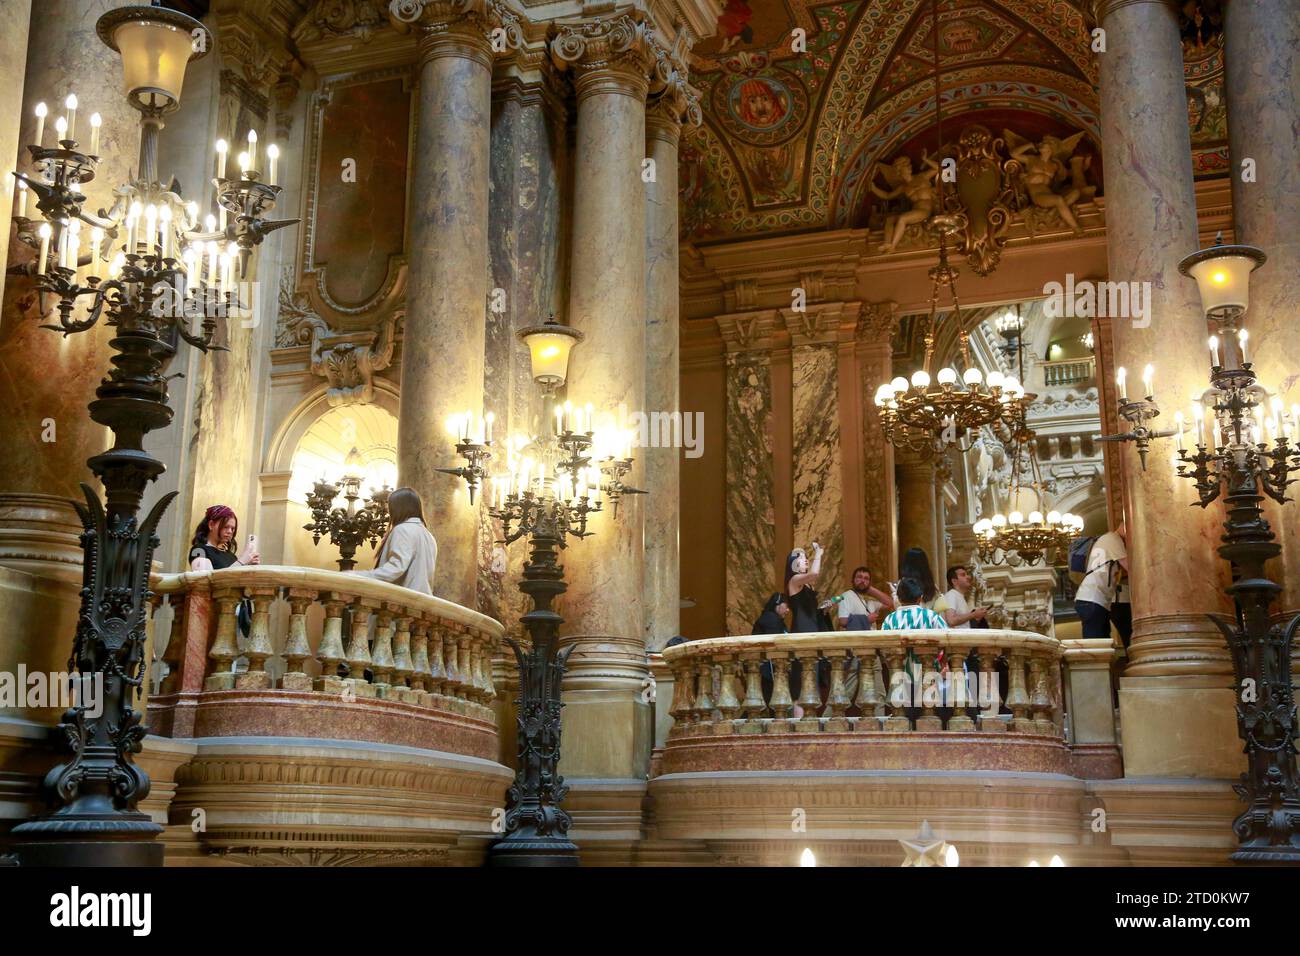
(609, 55)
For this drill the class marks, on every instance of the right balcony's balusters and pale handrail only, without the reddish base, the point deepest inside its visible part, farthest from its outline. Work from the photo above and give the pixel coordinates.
(898, 682)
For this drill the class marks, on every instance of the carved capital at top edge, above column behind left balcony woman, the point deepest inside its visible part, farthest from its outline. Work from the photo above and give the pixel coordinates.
(470, 29)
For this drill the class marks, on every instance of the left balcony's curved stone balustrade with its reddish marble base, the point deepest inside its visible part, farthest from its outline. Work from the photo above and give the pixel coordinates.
(327, 656)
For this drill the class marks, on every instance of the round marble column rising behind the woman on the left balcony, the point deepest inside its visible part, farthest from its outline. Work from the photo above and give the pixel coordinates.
(443, 351)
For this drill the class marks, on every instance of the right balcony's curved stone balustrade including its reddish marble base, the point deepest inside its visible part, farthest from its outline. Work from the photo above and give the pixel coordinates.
(903, 700)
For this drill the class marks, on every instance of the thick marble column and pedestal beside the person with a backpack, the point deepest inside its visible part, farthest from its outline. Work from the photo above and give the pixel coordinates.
(1176, 703)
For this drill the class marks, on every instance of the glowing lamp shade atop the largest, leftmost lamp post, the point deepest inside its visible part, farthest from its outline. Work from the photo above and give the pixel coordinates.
(157, 46)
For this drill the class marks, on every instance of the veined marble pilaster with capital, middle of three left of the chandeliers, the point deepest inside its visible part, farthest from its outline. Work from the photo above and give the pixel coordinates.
(816, 431)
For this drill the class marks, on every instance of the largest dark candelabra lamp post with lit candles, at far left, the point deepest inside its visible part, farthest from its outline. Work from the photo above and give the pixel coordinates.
(150, 272)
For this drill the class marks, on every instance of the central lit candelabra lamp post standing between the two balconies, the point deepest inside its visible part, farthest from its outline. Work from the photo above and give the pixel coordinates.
(548, 495)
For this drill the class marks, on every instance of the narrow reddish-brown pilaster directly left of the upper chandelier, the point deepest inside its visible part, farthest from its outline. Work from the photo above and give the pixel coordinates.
(877, 327)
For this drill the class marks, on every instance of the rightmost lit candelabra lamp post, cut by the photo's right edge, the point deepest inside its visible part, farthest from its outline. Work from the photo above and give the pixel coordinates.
(1242, 455)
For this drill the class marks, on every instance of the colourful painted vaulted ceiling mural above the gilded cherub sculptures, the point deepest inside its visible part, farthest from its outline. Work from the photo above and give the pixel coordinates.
(812, 107)
